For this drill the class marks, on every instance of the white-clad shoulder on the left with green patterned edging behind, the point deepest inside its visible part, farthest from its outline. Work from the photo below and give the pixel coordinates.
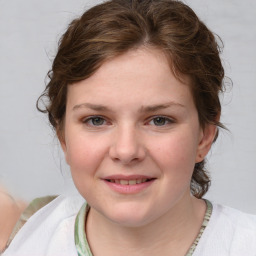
(54, 222)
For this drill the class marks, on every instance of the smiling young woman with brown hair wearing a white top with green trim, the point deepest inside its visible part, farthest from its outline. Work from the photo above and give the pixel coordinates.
(133, 98)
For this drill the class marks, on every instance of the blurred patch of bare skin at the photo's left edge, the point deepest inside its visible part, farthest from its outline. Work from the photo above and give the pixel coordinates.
(9, 215)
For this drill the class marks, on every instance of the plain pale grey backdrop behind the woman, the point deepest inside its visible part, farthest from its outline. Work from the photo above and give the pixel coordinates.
(31, 162)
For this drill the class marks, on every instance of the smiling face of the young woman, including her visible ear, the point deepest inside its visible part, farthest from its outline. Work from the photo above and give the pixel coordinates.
(132, 138)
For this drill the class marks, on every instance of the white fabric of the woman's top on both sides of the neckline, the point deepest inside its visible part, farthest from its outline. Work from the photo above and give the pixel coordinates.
(50, 232)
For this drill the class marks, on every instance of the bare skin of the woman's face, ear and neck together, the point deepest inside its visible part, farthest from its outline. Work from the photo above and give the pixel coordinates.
(133, 117)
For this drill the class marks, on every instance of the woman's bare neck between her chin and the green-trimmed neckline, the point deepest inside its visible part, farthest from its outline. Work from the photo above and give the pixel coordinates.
(171, 234)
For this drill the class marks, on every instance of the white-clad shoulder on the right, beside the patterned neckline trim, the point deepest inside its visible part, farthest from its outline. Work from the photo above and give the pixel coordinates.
(229, 232)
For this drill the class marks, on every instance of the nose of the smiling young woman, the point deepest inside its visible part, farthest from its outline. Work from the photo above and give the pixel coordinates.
(127, 146)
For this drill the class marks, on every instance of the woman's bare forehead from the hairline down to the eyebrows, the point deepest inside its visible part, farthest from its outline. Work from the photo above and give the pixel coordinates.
(142, 75)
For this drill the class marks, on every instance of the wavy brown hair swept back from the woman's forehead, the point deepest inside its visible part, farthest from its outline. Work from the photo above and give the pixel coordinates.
(114, 27)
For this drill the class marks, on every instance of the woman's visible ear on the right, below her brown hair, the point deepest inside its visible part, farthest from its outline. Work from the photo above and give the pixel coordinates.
(207, 136)
